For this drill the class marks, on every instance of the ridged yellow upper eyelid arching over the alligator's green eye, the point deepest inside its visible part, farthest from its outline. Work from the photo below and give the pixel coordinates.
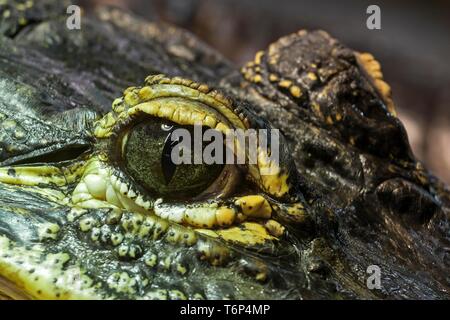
(206, 105)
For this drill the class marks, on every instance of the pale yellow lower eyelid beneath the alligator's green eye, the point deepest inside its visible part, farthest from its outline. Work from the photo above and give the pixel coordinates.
(248, 217)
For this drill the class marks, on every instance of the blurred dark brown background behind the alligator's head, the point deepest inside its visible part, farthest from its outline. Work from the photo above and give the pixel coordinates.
(413, 47)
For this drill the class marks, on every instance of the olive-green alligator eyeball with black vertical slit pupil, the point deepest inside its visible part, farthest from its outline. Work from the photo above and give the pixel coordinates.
(147, 157)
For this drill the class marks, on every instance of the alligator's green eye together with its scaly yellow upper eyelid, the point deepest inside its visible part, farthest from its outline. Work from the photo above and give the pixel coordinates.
(136, 139)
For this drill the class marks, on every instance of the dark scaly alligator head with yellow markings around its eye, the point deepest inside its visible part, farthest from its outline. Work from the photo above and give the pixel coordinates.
(91, 208)
